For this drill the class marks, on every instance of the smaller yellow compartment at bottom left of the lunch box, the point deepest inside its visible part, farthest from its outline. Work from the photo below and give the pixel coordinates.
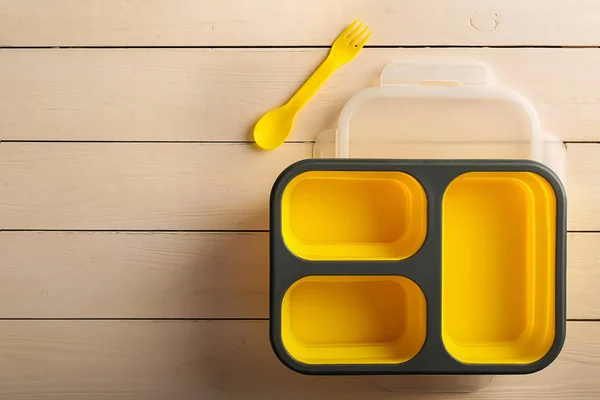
(353, 320)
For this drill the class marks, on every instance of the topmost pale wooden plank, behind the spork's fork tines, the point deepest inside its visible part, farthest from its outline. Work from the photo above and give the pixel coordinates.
(313, 22)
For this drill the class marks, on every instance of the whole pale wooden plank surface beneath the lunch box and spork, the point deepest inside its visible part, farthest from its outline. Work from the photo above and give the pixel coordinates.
(133, 208)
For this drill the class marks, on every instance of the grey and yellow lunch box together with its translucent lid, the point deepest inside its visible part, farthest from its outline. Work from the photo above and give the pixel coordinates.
(433, 244)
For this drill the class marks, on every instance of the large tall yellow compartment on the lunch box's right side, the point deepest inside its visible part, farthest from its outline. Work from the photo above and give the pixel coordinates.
(498, 267)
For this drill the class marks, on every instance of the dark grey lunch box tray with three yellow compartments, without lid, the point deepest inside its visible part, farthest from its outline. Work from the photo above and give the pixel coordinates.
(395, 266)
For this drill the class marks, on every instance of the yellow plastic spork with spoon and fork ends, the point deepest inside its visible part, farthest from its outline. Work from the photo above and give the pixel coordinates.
(275, 126)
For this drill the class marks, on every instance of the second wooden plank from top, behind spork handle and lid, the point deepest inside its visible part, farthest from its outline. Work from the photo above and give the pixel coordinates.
(218, 95)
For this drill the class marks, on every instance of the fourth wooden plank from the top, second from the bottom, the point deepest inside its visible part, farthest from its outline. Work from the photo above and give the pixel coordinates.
(181, 275)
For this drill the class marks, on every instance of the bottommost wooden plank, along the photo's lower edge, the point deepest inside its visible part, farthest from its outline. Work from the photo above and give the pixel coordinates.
(226, 360)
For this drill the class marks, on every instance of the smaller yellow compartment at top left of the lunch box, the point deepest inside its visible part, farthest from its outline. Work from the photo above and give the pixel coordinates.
(354, 215)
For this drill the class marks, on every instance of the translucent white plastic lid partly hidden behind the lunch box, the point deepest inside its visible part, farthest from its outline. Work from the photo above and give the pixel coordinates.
(450, 110)
